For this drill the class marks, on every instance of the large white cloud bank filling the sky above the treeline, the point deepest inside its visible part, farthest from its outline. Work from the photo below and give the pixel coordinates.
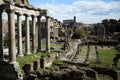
(87, 11)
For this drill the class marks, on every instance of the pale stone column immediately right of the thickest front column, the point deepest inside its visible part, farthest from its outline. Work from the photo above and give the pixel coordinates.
(19, 35)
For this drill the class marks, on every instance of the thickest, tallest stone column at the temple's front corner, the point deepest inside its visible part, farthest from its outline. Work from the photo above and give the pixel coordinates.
(12, 45)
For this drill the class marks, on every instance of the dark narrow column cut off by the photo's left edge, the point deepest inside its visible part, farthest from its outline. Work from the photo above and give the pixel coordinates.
(1, 38)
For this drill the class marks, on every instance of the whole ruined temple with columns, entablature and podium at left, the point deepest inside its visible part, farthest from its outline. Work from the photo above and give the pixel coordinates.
(22, 8)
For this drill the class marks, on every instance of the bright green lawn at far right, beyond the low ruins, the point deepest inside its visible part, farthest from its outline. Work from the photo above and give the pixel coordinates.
(106, 57)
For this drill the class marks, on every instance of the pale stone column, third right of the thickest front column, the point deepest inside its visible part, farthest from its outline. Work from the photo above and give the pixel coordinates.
(33, 34)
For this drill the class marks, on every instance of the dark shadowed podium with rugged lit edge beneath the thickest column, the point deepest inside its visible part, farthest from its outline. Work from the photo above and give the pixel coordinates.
(10, 71)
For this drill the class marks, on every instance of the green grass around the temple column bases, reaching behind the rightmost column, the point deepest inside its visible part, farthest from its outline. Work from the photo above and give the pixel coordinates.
(35, 56)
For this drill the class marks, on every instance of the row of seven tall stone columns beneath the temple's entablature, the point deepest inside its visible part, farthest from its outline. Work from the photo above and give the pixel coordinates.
(12, 40)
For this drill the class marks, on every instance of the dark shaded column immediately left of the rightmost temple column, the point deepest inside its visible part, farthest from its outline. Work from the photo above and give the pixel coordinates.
(39, 33)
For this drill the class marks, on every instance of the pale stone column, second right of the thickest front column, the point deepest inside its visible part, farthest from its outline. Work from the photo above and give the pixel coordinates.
(27, 35)
